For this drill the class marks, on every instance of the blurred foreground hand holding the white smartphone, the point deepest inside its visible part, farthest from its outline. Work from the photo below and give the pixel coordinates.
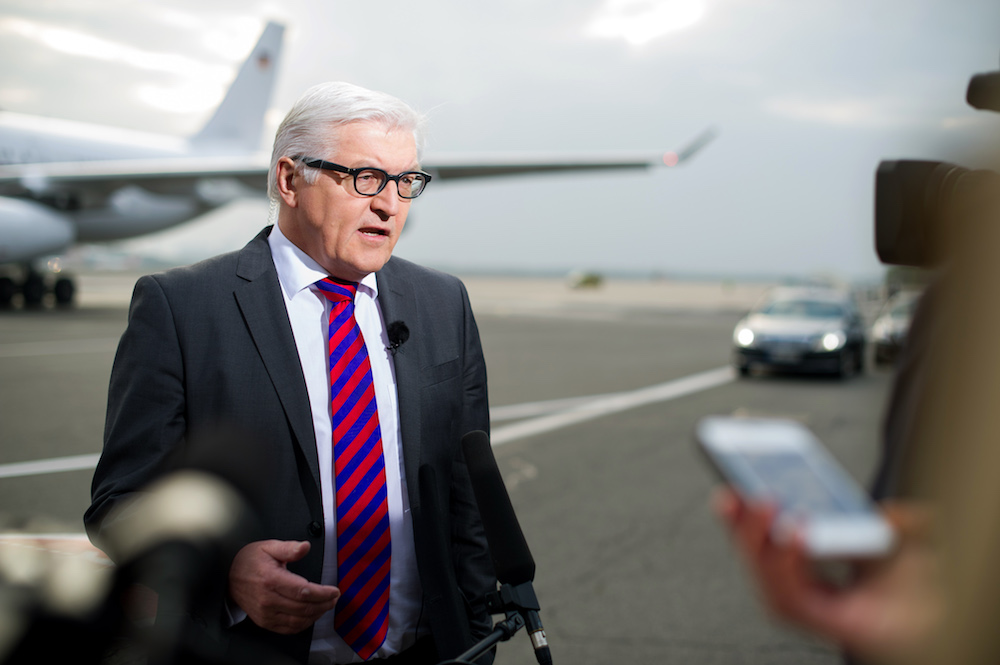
(886, 612)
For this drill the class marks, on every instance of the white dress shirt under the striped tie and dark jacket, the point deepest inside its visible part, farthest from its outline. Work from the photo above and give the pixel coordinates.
(308, 313)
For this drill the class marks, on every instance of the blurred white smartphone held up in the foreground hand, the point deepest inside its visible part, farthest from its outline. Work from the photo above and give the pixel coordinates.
(781, 461)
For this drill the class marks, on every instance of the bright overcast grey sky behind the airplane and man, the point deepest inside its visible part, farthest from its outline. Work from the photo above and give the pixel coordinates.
(807, 96)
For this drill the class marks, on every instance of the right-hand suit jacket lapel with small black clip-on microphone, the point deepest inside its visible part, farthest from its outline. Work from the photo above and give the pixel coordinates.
(398, 303)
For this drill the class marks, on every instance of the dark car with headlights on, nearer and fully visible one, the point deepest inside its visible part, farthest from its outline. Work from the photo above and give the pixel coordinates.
(801, 329)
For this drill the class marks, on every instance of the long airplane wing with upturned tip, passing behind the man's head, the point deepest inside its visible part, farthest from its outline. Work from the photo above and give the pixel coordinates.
(174, 174)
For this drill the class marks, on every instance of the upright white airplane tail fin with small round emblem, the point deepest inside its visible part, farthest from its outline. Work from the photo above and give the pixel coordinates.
(239, 119)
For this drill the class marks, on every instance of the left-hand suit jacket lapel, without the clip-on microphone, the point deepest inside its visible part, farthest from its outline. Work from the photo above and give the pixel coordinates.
(262, 305)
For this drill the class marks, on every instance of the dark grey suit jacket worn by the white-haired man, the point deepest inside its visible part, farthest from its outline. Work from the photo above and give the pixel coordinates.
(211, 343)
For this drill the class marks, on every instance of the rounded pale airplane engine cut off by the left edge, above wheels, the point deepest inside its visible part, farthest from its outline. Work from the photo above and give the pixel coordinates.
(29, 230)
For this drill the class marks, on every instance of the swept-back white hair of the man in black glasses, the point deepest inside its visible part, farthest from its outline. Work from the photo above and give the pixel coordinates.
(307, 128)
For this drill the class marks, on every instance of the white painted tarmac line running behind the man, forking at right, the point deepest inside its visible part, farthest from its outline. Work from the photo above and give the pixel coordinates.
(551, 415)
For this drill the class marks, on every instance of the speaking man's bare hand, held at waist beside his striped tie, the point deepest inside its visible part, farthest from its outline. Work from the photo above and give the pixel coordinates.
(273, 597)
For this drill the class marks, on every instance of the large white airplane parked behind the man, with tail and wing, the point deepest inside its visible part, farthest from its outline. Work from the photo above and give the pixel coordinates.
(64, 183)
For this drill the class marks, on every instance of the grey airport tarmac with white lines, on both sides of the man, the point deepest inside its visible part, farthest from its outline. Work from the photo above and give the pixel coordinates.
(594, 395)
